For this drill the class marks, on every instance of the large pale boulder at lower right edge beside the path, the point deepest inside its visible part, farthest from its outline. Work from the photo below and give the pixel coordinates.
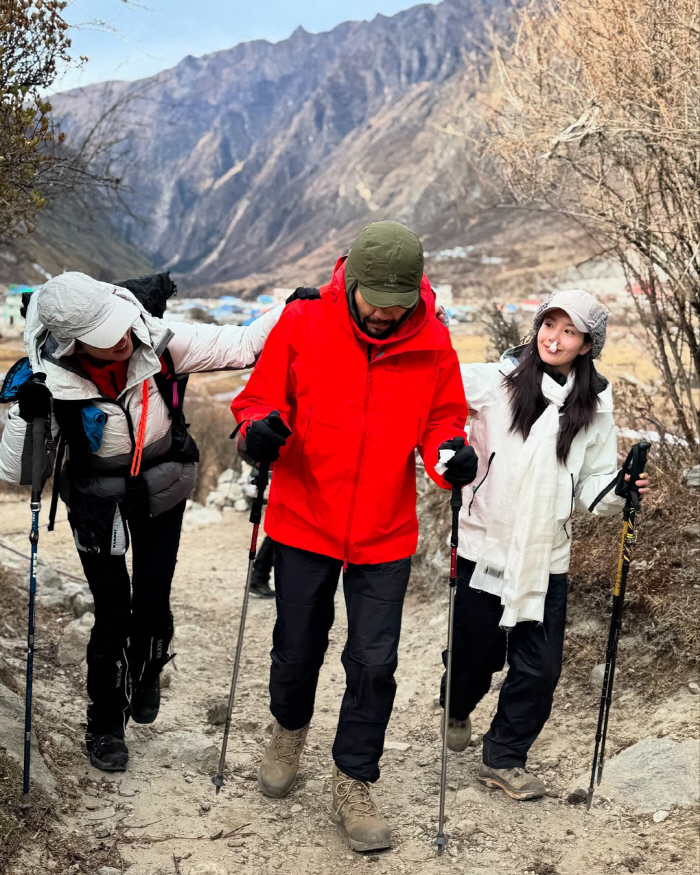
(654, 774)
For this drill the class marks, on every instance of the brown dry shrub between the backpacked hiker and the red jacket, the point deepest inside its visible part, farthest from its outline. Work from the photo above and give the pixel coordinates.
(211, 426)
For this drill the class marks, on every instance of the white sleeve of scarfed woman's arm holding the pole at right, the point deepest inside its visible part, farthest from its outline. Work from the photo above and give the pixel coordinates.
(599, 470)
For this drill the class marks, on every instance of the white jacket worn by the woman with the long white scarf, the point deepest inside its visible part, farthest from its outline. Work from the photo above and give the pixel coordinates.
(590, 467)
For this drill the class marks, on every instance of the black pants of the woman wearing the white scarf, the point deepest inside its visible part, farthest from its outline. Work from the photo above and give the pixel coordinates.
(534, 654)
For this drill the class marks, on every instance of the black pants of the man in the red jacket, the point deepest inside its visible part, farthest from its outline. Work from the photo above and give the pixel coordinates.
(305, 584)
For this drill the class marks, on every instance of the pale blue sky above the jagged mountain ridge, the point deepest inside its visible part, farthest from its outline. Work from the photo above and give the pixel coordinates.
(141, 37)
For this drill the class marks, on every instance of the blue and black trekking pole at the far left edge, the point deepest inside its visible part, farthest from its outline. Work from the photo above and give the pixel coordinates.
(38, 428)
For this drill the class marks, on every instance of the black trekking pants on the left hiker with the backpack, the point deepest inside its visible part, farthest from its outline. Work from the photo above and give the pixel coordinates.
(133, 623)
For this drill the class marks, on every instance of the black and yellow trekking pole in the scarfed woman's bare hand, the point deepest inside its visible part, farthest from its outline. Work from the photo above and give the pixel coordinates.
(634, 466)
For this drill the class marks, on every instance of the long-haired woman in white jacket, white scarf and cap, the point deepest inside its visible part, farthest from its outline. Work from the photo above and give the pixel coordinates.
(542, 426)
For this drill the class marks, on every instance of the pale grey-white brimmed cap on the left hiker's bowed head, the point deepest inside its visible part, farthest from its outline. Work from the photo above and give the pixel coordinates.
(73, 306)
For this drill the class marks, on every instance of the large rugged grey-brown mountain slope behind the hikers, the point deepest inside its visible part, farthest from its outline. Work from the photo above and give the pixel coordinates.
(264, 154)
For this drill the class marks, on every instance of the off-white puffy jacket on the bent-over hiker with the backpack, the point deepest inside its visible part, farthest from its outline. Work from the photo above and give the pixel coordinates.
(194, 348)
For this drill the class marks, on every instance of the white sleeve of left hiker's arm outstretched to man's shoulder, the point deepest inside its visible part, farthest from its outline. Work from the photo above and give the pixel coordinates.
(218, 348)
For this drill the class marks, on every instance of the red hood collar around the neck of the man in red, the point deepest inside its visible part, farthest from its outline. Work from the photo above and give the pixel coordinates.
(421, 322)
